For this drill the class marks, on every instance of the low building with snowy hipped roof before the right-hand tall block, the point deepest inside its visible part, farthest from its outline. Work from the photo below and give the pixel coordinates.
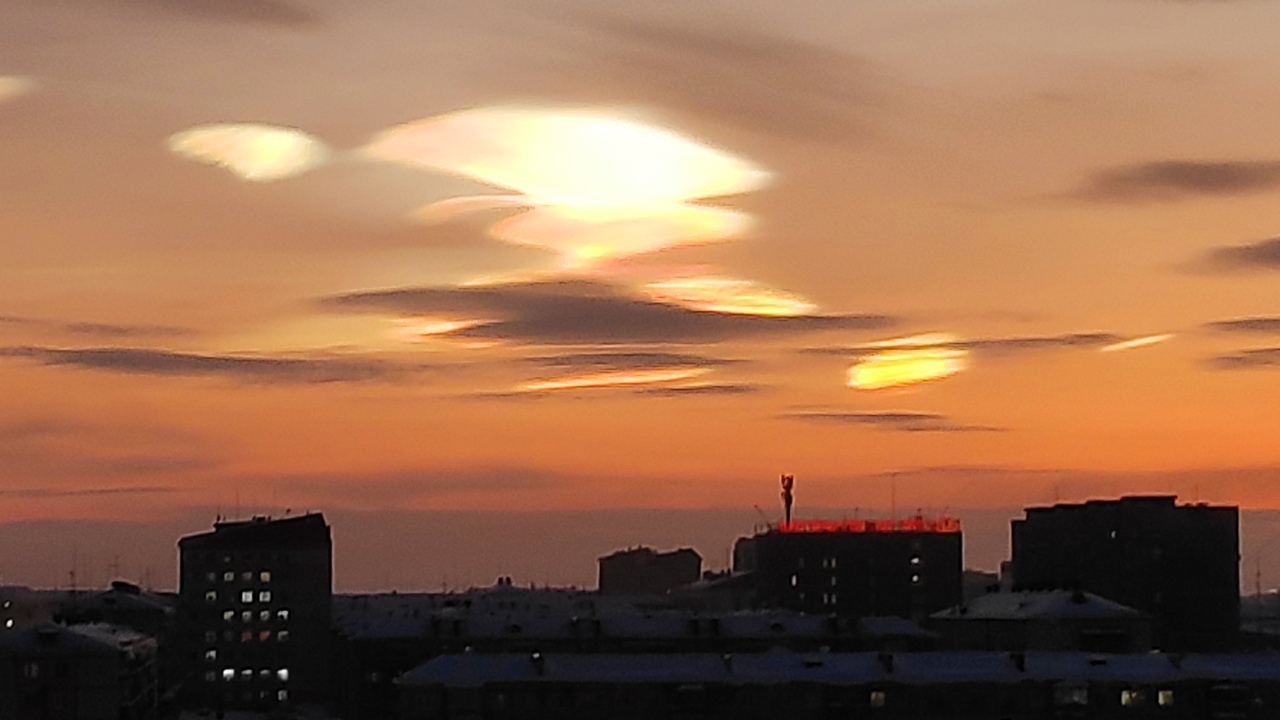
(1049, 621)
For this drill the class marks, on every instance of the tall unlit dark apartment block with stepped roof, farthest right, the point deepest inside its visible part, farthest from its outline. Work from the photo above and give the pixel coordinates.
(1177, 563)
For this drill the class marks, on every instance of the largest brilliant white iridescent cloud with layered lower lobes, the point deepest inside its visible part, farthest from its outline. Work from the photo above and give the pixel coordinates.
(598, 188)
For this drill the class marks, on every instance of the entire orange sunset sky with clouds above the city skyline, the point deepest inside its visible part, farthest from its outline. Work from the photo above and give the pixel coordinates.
(536, 261)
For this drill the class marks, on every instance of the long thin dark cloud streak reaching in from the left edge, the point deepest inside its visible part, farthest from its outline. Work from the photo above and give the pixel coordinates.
(244, 368)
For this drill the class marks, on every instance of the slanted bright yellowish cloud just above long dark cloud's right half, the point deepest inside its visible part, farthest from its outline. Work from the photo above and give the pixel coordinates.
(717, 294)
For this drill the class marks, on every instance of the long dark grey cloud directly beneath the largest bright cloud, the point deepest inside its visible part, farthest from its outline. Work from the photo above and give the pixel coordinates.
(586, 313)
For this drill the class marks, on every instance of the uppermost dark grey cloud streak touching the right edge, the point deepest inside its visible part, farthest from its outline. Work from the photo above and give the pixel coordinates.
(1176, 180)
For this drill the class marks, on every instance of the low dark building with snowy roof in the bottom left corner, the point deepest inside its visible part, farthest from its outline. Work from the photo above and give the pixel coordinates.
(77, 673)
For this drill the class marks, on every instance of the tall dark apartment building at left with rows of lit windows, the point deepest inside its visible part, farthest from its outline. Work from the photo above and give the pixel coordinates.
(255, 601)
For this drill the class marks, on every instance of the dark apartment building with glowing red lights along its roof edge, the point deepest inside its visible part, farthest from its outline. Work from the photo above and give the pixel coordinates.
(860, 568)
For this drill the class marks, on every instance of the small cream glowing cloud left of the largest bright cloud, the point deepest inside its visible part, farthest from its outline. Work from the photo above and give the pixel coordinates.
(252, 152)
